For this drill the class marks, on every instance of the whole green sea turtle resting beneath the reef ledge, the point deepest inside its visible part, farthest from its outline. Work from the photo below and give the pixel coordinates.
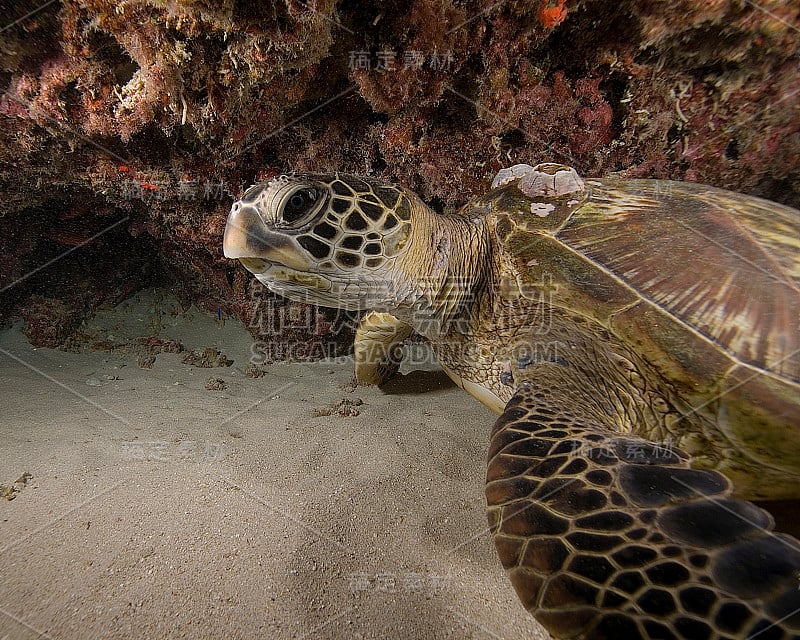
(640, 340)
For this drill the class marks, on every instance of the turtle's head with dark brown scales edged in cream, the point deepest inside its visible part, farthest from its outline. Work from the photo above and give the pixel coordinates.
(327, 239)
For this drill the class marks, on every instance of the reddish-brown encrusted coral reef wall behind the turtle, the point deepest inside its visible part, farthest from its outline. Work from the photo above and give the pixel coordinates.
(128, 128)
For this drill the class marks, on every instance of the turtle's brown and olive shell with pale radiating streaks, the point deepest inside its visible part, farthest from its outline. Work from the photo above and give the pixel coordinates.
(703, 283)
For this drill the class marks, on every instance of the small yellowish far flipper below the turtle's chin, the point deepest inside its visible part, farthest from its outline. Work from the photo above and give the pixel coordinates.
(377, 346)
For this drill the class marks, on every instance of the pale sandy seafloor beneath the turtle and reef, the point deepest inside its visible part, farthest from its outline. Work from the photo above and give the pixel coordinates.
(159, 509)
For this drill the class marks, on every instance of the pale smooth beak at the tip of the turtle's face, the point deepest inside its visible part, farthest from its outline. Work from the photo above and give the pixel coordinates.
(248, 238)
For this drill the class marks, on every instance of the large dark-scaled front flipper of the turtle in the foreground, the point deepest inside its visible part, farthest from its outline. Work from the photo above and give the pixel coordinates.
(606, 535)
